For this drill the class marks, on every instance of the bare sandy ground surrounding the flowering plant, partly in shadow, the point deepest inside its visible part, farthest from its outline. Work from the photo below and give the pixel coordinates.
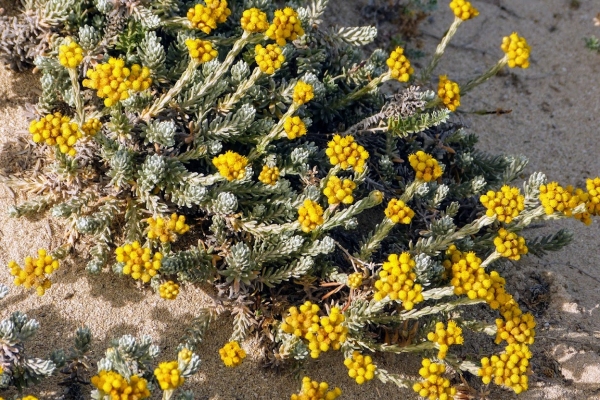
(555, 106)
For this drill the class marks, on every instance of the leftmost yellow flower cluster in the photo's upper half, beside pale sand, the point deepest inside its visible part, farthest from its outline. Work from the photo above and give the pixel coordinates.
(56, 129)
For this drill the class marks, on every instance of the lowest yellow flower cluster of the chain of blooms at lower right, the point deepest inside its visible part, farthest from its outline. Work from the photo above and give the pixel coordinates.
(509, 368)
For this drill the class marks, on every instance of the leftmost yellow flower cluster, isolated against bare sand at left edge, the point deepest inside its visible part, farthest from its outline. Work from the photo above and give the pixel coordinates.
(35, 273)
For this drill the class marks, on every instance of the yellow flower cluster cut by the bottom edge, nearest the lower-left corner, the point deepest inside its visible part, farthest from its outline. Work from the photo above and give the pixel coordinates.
(111, 384)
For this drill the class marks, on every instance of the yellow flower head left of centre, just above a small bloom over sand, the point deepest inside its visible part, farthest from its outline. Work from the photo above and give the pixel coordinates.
(139, 261)
